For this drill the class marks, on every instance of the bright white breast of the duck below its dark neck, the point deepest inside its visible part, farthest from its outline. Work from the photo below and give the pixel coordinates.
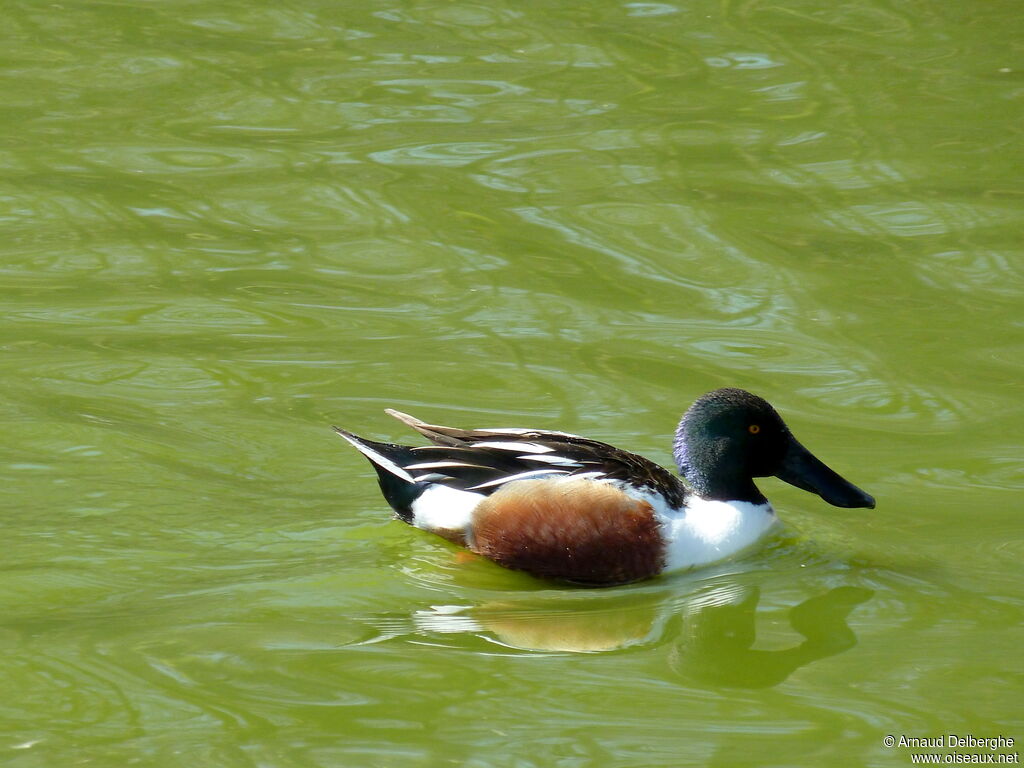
(707, 532)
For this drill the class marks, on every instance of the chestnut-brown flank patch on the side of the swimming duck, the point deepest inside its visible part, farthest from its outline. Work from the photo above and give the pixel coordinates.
(576, 531)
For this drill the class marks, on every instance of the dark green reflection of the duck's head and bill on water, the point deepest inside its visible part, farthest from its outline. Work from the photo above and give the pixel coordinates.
(715, 648)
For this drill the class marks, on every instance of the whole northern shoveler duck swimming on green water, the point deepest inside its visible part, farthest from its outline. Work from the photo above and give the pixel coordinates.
(571, 509)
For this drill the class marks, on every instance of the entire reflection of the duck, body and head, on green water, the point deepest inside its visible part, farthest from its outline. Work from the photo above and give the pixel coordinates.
(714, 647)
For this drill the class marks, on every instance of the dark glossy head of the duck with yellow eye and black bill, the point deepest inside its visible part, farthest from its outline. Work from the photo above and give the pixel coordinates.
(731, 437)
